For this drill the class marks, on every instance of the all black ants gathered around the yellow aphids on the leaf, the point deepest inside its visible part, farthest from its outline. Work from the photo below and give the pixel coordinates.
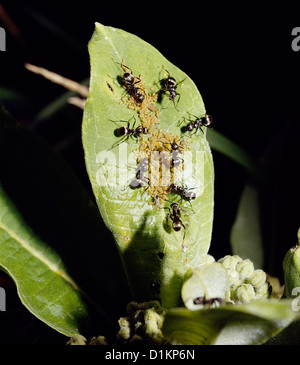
(168, 86)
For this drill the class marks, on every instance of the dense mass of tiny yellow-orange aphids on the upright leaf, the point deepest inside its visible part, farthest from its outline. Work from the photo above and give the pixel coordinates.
(161, 170)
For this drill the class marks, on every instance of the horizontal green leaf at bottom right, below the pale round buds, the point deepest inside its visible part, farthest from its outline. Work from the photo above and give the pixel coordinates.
(244, 324)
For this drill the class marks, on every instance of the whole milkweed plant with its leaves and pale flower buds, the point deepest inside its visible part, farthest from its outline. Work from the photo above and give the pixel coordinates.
(149, 162)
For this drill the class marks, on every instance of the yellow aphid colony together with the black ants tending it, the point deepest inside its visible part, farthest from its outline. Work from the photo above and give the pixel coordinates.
(157, 177)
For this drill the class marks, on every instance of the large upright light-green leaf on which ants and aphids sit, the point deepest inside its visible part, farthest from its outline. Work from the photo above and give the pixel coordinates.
(139, 228)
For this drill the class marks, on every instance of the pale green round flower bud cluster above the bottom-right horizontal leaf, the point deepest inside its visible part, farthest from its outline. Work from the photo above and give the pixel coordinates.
(246, 283)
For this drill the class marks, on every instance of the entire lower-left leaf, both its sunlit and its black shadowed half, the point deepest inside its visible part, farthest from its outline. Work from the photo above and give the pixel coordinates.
(52, 242)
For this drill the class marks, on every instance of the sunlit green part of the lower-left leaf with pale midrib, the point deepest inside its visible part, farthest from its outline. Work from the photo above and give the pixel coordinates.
(42, 282)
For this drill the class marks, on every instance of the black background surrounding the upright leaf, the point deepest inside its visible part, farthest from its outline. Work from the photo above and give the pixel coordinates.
(238, 54)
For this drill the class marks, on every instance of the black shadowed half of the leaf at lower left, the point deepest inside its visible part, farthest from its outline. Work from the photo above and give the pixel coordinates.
(56, 207)
